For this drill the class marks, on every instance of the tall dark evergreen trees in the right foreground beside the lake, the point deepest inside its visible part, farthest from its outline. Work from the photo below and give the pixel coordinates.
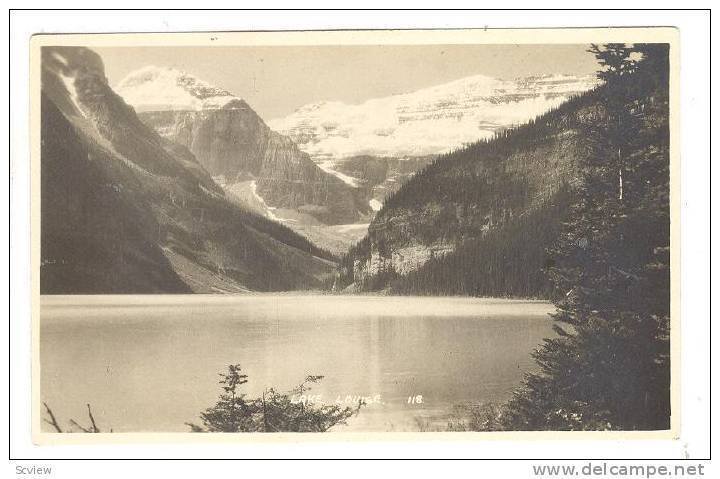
(609, 366)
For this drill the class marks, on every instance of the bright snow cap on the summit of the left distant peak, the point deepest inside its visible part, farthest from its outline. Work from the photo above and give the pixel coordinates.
(155, 88)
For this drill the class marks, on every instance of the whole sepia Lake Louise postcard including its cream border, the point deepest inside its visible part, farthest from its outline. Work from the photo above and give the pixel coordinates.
(355, 232)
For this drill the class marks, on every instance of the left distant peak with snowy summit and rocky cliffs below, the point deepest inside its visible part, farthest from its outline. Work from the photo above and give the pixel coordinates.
(232, 142)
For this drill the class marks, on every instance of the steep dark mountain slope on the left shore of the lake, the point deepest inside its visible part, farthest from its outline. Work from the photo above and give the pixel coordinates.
(125, 210)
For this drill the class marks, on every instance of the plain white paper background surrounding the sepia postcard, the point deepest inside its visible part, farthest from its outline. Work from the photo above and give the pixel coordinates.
(695, 108)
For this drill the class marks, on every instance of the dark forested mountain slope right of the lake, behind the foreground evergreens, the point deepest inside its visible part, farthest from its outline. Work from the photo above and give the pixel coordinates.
(481, 220)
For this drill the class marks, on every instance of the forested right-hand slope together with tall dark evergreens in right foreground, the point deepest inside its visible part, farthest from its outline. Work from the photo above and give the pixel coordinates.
(575, 207)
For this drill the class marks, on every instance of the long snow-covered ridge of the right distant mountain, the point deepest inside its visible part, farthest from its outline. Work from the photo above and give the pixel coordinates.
(428, 121)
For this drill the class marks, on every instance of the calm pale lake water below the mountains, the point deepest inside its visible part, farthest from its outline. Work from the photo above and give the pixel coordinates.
(151, 363)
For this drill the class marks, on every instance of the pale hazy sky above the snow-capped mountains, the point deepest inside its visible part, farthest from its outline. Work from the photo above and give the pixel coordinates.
(276, 80)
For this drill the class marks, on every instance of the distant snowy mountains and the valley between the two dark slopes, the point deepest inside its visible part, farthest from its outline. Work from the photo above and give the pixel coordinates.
(326, 170)
